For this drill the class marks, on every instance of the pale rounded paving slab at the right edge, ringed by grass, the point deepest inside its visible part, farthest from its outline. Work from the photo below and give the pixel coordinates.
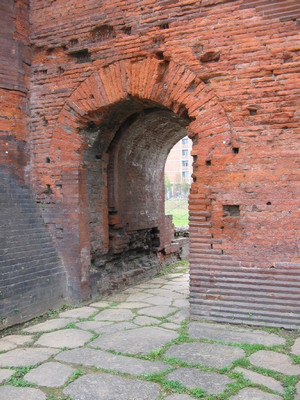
(275, 361)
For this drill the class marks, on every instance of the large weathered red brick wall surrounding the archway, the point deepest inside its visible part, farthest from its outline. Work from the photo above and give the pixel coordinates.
(233, 70)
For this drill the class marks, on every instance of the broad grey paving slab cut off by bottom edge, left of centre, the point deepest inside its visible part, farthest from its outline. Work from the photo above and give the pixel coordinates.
(110, 387)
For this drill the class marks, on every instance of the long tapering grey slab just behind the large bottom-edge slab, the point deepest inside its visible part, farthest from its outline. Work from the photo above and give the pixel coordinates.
(102, 359)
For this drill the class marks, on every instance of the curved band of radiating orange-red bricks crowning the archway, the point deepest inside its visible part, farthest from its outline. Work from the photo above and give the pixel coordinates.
(166, 83)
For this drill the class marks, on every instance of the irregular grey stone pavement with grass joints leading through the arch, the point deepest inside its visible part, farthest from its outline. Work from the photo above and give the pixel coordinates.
(140, 345)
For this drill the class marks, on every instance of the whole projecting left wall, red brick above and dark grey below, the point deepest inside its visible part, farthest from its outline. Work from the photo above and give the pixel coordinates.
(32, 276)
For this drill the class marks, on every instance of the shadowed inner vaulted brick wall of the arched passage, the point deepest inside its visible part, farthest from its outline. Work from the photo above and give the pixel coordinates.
(125, 159)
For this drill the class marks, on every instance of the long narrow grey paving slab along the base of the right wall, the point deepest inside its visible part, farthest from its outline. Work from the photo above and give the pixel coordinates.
(229, 334)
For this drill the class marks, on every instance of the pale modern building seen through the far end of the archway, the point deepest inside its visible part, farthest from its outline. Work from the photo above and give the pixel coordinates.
(178, 169)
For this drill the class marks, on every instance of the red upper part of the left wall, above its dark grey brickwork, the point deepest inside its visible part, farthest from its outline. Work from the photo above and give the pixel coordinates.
(14, 80)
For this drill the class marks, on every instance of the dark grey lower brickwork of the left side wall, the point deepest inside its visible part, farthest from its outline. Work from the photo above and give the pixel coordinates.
(32, 277)
